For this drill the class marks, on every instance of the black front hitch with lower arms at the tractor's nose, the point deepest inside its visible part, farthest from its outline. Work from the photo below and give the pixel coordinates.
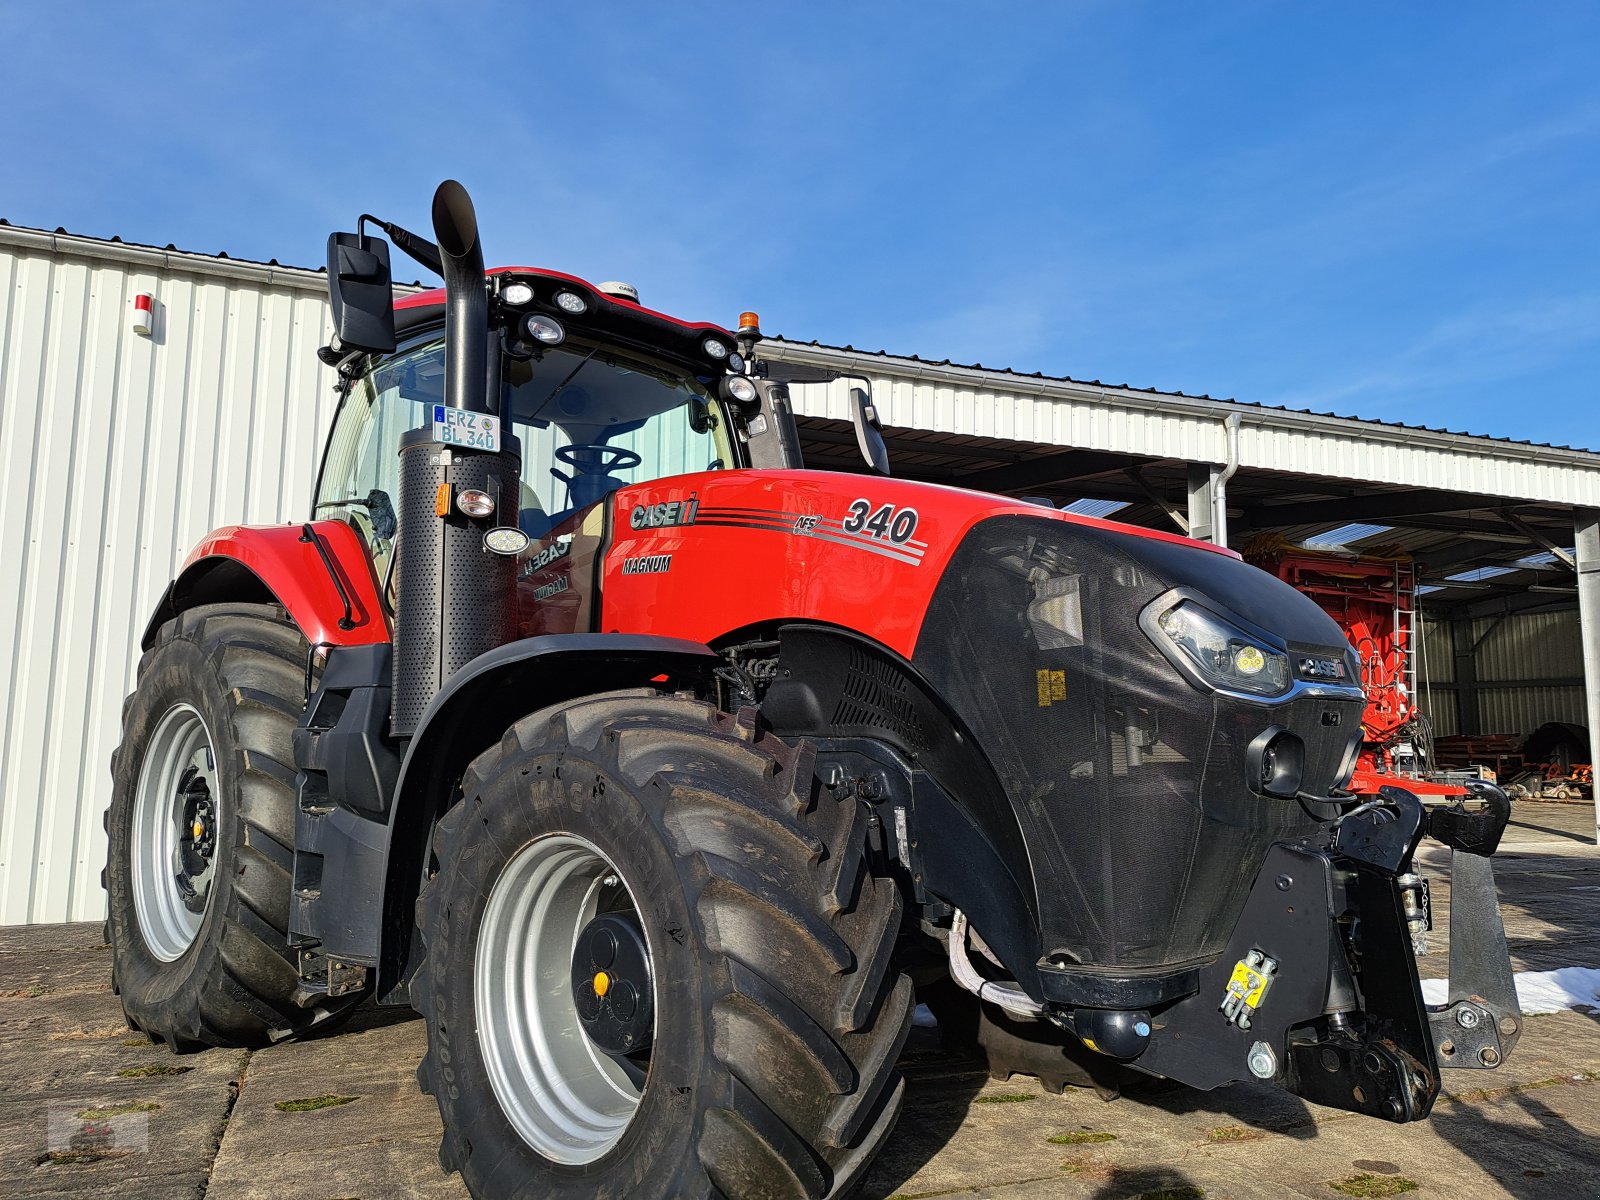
(1319, 988)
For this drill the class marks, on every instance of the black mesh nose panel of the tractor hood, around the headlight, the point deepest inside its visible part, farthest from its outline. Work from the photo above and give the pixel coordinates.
(1129, 782)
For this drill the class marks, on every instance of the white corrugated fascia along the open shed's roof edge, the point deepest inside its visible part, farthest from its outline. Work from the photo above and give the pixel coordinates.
(1063, 414)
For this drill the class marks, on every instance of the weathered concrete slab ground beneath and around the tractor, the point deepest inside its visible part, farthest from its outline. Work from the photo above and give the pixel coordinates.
(343, 1118)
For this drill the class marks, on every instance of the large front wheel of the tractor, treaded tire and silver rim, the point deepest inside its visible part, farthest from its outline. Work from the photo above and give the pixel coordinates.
(761, 942)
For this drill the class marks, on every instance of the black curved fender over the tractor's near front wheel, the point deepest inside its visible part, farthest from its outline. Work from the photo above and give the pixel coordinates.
(470, 716)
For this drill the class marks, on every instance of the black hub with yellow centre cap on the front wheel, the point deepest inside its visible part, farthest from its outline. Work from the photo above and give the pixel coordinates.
(612, 985)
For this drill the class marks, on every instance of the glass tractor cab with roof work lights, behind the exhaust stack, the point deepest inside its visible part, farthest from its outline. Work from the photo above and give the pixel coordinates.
(593, 390)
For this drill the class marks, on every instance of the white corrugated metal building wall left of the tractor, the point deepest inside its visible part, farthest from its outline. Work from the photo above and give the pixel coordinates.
(119, 454)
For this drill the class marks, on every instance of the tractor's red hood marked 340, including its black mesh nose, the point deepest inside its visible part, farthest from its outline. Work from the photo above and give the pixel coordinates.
(1153, 710)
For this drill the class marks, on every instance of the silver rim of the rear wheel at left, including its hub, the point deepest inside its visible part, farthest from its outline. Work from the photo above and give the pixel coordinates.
(175, 828)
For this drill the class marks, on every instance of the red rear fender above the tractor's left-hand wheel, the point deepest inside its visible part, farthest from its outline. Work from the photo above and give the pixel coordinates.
(281, 564)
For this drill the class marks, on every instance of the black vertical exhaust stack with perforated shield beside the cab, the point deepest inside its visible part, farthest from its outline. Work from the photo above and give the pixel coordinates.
(455, 599)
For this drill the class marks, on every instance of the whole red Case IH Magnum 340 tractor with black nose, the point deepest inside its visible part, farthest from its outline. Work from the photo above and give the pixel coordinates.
(660, 774)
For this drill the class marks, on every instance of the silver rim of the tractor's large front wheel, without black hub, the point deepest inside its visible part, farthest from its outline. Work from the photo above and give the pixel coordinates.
(566, 1097)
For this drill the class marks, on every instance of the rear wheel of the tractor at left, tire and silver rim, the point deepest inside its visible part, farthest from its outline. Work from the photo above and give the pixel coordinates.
(202, 834)
